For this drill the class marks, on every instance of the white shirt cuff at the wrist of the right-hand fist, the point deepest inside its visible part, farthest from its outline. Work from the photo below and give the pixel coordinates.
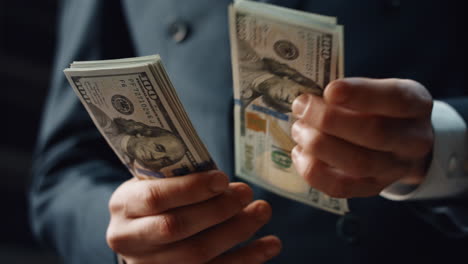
(447, 175)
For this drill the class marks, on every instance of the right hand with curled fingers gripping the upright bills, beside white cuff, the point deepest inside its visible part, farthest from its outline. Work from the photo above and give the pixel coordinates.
(363, 135)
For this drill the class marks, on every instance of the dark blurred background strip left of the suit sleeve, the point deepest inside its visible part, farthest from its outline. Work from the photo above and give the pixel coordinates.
(27, 41)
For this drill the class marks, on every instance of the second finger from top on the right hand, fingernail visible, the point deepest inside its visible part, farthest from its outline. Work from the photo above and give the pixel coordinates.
(369, 131)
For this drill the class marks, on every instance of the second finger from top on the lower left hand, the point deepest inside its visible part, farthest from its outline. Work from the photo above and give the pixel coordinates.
(183, 222)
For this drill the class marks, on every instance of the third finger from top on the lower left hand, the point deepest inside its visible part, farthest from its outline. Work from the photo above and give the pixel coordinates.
(213, 242)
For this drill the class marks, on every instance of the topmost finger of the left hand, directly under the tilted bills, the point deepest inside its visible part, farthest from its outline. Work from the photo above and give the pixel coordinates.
(150, 197)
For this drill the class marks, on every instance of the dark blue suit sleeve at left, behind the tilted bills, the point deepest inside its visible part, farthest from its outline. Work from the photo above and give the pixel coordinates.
(74, 171)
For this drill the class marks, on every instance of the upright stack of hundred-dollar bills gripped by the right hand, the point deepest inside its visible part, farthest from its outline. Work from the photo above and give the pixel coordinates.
(278, 54)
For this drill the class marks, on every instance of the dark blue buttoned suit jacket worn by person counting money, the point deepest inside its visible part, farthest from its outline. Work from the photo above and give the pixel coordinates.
(76, 172)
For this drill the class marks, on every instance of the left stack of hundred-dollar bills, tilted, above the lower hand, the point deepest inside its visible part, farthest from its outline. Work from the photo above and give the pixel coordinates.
(135, 107)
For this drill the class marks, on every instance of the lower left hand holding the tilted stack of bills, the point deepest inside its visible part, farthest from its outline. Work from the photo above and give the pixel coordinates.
(189, 219)
